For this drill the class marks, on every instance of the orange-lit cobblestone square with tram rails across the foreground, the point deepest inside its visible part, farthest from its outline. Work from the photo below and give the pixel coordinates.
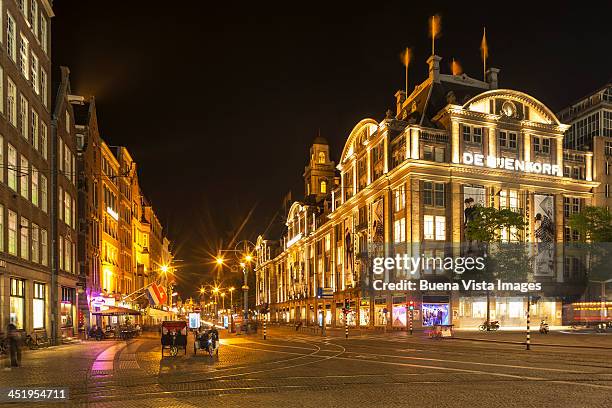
(292, 369)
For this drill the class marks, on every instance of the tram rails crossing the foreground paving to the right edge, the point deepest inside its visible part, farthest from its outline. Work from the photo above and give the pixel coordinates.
(249, 381)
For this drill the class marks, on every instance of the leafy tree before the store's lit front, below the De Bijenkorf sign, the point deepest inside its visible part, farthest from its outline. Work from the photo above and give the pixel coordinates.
(506, 261)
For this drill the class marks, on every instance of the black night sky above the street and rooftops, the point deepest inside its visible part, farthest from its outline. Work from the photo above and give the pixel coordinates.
(218, 102)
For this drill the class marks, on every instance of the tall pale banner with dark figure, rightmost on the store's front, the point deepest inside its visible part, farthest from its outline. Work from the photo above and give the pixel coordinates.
(544, 233)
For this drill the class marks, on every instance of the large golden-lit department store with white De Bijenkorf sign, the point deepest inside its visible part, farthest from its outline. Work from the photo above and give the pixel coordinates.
(402, 186)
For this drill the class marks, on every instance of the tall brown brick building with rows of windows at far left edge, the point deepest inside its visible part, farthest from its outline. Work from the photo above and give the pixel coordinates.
(26, 295)
